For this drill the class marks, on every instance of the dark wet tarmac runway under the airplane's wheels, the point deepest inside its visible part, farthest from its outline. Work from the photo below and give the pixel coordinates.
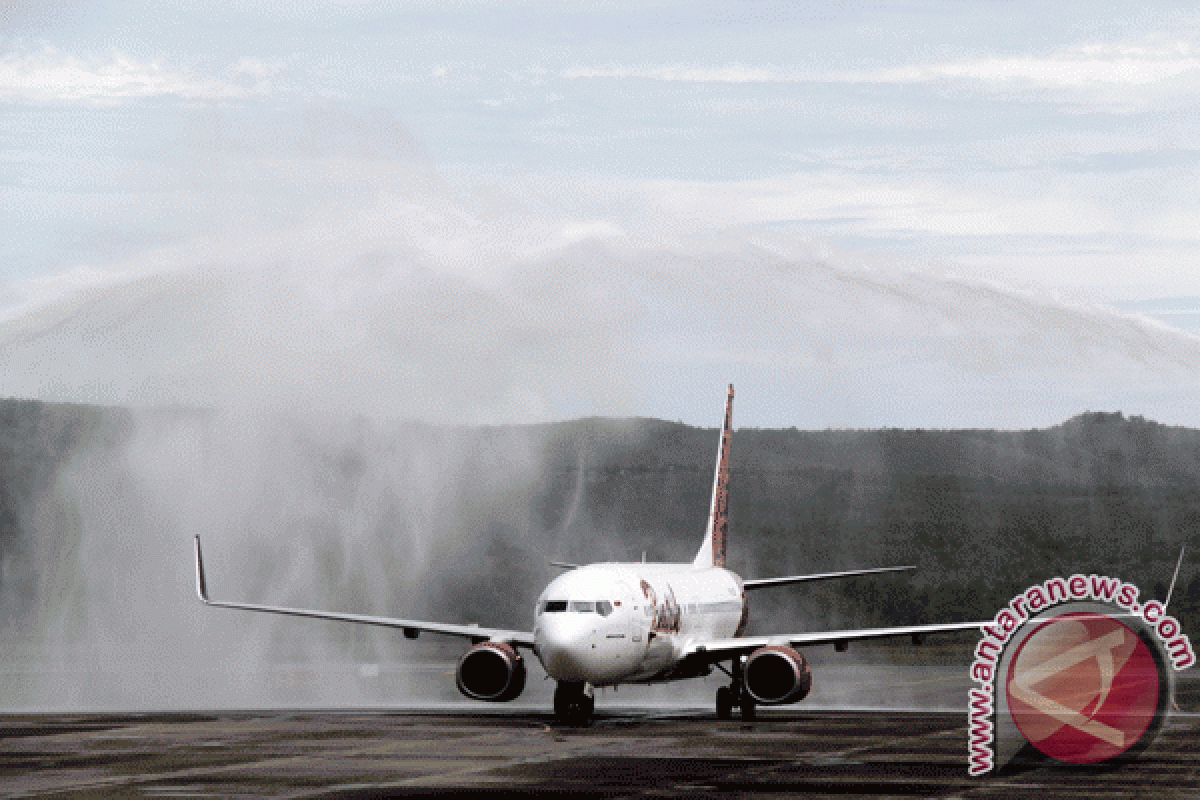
(625, 754)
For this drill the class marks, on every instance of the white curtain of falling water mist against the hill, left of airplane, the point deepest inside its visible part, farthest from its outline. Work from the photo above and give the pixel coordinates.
(319, 513)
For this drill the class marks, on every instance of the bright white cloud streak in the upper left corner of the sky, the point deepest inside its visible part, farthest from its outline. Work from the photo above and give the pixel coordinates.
(46, 76)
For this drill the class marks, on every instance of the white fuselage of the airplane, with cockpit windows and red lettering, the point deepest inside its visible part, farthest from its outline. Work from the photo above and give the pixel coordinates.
(610, 624)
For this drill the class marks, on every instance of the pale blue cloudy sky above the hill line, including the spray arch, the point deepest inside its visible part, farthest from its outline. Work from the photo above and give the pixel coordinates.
(863, 214)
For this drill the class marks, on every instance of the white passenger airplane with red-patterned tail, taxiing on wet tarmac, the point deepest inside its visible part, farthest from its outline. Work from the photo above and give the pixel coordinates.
(603, 625)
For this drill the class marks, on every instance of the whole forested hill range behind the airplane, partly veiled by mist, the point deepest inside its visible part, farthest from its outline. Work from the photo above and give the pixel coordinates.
(389, 518)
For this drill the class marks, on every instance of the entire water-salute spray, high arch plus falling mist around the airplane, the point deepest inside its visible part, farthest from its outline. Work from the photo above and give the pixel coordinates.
(376, 434)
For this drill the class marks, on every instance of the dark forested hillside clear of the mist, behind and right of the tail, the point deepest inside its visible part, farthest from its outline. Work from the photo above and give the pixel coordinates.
(983, 514)
